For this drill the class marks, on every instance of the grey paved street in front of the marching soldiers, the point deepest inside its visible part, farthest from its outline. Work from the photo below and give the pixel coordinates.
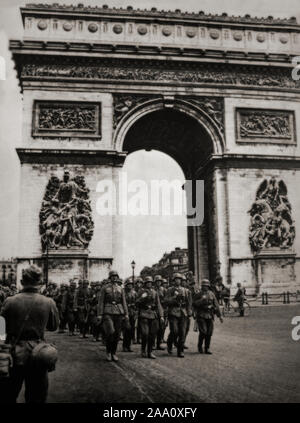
(254, 360)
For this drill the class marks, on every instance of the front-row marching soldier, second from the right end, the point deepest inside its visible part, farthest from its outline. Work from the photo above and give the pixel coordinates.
(179, 309)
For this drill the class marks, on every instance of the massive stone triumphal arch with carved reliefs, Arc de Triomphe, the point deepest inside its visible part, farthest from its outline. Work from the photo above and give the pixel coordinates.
(216, 93)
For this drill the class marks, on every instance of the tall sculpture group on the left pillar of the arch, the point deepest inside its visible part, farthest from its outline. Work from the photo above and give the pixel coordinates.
(65, 216)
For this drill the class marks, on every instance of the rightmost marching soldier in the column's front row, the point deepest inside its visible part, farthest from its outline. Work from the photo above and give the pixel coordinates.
(206, 306)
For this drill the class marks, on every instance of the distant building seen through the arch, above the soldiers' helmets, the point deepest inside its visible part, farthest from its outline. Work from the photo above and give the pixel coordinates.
(170, 263)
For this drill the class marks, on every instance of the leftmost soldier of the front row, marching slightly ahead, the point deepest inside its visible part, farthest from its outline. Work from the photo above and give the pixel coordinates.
(111, 310)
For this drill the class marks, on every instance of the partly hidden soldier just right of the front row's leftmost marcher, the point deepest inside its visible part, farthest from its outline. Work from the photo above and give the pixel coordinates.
(129, 329)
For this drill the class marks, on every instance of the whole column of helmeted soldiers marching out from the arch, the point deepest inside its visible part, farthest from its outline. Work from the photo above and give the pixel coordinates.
(137, 312)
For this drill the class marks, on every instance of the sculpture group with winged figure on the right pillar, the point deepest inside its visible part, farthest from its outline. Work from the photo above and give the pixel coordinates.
(271, 218)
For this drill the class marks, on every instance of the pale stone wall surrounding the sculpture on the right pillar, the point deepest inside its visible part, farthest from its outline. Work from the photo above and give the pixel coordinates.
(242, 187)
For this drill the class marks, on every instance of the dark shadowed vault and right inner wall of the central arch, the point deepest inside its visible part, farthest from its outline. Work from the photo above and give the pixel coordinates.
(182, 137)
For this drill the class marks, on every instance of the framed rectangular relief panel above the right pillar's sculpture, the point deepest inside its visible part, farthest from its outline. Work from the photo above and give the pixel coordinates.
(258, 125)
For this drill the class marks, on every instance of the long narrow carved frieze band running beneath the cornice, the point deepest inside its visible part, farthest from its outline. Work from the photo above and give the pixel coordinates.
(115, 69)
